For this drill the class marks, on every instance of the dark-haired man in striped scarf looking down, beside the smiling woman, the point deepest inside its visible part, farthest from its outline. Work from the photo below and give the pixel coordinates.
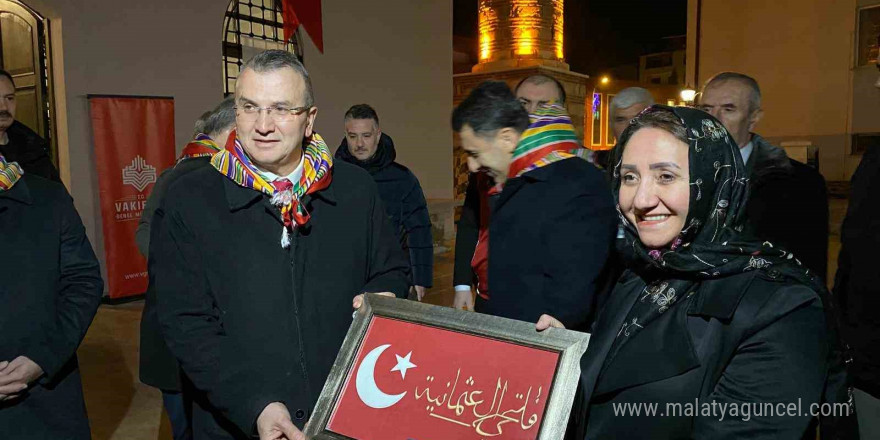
(552, 216)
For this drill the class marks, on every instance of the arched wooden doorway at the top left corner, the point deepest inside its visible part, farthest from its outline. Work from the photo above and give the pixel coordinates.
(24, 54)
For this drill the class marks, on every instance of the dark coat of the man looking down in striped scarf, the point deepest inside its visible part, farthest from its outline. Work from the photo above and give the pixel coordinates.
(550, 234)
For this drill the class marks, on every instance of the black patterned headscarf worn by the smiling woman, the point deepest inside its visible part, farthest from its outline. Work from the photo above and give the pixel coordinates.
(710, 245)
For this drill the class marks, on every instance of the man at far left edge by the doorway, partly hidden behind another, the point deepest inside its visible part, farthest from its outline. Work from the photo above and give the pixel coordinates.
(18, 143)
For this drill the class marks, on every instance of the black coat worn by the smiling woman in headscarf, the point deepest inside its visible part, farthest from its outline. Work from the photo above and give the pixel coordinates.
(747, 339)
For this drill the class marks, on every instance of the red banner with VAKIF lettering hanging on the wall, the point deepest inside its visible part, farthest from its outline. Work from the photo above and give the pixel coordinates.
(134, 142)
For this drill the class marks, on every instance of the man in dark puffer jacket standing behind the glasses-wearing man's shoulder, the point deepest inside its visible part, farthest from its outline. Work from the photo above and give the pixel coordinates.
(366, 146)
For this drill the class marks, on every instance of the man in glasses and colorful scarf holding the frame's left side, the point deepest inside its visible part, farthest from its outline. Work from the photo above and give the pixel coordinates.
(258, 264)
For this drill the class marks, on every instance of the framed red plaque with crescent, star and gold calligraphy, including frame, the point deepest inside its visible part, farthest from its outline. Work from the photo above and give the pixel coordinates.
(413, 371)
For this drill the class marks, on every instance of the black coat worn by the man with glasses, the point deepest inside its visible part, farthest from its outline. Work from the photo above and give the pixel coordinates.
(251, 322)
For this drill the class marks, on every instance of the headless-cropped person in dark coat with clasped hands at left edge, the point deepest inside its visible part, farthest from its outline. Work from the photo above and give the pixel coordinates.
(51, 288)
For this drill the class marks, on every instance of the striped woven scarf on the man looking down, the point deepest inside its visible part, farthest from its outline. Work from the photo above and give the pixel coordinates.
(549, 138)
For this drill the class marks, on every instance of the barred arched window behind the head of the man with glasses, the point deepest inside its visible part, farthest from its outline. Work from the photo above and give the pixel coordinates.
(252, 26)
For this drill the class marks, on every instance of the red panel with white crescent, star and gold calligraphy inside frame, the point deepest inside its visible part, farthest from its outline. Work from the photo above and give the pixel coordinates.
(409, 382)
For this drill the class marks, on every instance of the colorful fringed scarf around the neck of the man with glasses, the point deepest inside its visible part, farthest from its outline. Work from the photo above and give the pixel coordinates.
(233, 163)
